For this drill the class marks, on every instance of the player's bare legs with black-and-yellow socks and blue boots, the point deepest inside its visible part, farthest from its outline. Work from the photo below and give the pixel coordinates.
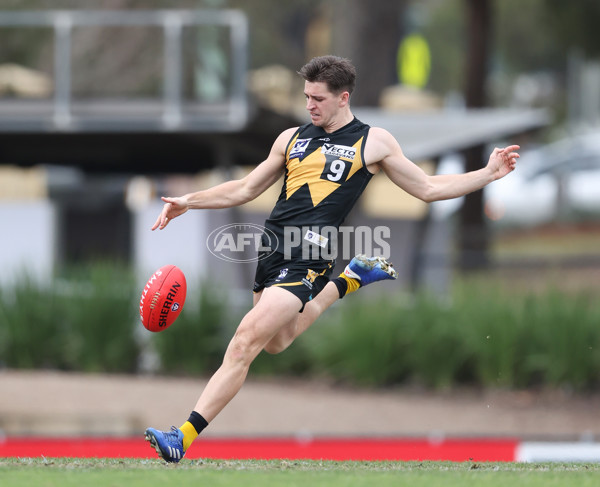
(272, 325)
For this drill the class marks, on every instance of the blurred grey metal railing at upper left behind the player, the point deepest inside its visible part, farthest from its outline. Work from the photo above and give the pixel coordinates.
(171, 111)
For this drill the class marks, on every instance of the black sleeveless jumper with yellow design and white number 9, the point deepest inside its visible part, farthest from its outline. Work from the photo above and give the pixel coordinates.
(325, 174)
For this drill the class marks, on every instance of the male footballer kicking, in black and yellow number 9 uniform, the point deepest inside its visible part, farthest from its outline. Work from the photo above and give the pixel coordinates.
(326, 165)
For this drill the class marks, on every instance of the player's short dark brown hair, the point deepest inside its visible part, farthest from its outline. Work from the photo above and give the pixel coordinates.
(337, 72)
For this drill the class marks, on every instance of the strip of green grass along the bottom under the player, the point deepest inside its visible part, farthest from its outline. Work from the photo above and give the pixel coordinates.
(66, 472)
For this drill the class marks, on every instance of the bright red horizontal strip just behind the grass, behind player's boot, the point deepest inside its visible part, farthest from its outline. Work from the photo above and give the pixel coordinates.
(365, 449)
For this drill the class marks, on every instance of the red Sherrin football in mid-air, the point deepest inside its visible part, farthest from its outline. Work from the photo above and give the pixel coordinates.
(163, 298)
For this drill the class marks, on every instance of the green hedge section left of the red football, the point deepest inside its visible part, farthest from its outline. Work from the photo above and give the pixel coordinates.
(81, 321)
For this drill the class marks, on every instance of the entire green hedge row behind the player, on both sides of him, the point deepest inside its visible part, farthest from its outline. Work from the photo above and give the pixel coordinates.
(482, 335)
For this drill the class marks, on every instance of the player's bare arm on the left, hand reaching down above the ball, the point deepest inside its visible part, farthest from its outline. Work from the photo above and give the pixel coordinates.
(231, 193)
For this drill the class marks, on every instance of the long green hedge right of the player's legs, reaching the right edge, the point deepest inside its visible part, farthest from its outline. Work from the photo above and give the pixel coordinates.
(482, 337)
